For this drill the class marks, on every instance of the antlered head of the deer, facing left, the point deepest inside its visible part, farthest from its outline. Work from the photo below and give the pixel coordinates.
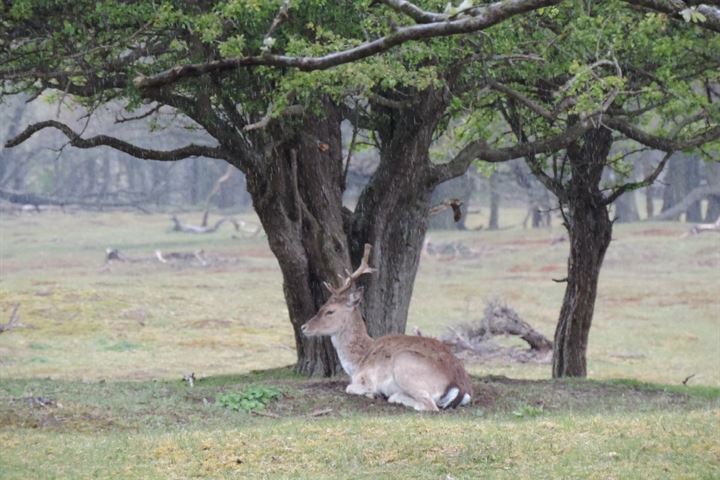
(337, 311)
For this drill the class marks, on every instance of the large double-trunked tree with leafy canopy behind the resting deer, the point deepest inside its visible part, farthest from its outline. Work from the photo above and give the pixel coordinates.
(270, 123)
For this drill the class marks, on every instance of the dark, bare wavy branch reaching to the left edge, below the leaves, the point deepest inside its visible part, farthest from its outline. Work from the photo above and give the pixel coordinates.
(191, 150)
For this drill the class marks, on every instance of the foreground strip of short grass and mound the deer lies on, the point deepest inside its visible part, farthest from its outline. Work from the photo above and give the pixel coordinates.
(515, 429)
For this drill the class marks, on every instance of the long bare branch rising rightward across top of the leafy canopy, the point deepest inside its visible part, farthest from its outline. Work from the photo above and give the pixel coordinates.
(486, 16)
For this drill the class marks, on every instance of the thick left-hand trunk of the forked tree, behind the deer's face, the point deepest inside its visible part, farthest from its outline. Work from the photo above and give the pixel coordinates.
(298, 199)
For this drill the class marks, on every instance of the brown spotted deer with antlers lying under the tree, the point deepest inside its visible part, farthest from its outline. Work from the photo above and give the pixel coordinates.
(418, 372)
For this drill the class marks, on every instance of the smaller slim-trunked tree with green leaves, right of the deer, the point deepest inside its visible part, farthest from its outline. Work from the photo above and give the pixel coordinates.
(618, 76)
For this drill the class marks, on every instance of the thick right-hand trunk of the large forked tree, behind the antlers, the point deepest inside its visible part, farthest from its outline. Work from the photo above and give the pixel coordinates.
(392, 211)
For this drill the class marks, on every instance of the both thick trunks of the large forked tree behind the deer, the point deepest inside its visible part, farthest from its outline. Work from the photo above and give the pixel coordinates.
(297, 195)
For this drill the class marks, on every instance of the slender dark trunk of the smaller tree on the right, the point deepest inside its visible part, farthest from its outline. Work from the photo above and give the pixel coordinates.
(590, 229)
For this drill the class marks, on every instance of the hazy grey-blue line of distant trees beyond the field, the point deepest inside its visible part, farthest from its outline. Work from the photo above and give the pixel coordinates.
(103, 177)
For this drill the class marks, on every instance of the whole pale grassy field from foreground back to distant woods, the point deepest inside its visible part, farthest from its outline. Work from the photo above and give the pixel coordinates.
(93, 389)
